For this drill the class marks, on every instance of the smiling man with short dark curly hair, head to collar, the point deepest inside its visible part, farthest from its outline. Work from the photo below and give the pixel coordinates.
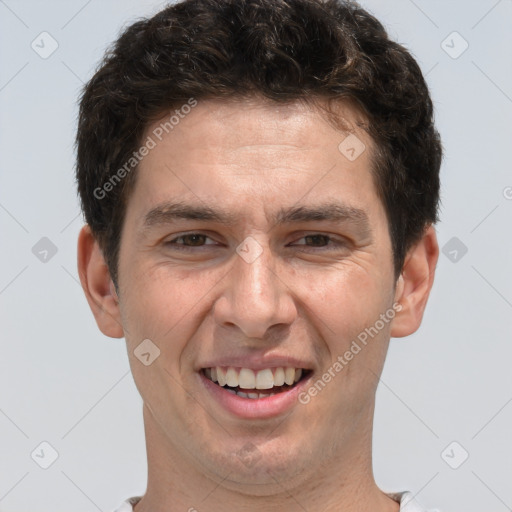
(260, 180)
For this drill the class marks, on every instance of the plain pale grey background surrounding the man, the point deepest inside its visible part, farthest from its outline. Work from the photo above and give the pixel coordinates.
(63, 382)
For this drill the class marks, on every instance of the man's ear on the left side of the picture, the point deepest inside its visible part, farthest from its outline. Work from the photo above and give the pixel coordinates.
(98, 286)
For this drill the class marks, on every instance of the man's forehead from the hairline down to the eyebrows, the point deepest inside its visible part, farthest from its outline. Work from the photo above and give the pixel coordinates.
(270, 154)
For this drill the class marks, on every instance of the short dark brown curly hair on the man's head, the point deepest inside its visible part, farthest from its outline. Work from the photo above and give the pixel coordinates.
(283, 51)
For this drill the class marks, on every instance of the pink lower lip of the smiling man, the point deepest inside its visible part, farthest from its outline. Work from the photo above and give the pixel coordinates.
(254, 408)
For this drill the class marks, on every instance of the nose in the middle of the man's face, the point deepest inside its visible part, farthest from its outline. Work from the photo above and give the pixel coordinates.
(255, 299)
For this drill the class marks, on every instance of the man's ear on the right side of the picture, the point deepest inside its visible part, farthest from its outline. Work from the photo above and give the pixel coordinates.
(414, 284)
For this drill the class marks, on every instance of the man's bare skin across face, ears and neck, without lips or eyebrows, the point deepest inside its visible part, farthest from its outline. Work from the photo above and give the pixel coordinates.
(307, 298)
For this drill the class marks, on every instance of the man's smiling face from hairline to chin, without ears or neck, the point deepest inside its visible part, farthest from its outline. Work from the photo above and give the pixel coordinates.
(251, 242)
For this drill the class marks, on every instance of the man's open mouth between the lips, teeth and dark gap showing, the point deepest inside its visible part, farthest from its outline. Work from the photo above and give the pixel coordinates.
(247, 383)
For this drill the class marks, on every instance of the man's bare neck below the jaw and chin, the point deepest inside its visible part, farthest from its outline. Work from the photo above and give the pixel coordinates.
(343, 481)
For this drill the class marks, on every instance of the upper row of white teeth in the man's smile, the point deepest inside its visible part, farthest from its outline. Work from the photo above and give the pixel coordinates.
(246, 378)
